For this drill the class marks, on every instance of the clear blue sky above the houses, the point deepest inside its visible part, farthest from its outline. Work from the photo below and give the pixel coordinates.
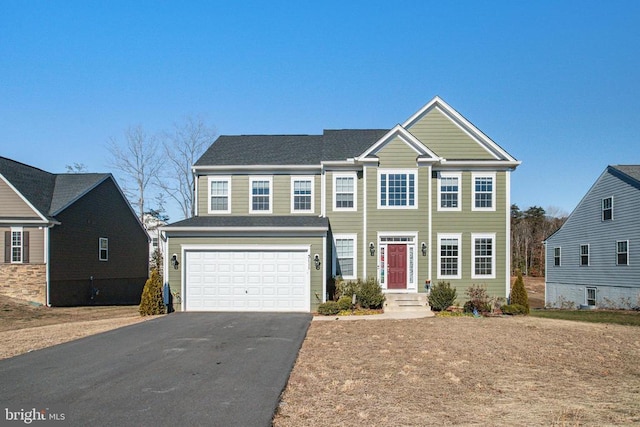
(555, 83)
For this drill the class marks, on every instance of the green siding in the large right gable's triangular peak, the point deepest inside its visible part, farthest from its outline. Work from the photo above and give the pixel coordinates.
(446, 139)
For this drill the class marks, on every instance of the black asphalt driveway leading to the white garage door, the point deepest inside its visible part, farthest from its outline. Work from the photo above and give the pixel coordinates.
(195, 369)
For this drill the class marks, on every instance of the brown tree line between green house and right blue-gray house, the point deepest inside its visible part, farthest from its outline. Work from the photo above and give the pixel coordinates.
(529, 229)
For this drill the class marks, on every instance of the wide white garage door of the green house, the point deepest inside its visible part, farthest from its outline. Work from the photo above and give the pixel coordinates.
(247, 280)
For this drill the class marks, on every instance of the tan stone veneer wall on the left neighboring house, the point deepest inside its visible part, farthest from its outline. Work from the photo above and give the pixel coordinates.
(24, 281)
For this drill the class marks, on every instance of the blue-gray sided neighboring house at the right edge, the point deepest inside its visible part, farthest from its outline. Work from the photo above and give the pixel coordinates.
(594, 258)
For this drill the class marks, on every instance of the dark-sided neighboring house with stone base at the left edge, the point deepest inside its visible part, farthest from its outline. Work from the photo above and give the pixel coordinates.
(69, 239)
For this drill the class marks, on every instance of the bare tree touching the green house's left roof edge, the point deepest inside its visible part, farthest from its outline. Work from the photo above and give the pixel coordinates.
(182, 147)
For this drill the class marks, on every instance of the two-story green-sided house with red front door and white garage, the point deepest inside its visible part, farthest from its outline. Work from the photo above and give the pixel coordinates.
(278, 216)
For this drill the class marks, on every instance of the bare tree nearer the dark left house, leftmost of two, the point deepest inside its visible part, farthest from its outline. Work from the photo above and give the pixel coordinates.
(138, 159)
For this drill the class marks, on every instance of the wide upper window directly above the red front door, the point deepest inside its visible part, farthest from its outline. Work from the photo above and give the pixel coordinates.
(397, 189)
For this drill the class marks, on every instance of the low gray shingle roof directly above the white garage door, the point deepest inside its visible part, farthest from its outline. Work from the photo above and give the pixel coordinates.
(262, 221)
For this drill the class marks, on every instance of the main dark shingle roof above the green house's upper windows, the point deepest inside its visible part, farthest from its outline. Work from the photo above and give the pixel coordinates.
(289, 149)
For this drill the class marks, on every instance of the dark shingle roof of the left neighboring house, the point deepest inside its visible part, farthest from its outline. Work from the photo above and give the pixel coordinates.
(48, 192)
